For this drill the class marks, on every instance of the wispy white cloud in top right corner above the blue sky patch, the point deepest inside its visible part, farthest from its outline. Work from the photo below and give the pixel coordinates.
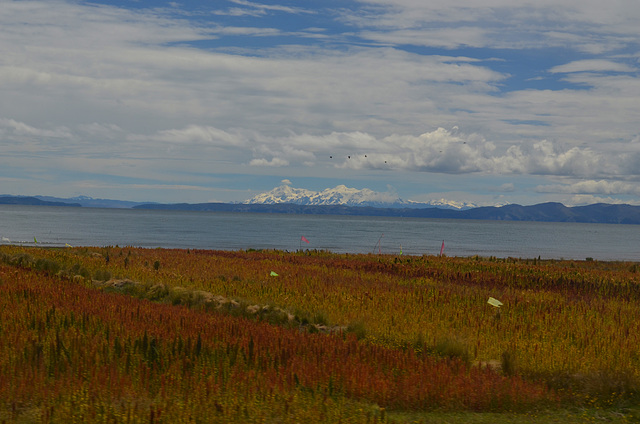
(585, 25)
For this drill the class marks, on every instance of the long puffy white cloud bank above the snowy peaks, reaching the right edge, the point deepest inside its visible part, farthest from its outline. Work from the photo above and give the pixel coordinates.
(438, 151)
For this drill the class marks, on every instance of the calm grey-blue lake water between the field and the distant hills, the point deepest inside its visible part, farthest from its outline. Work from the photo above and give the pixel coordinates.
(59, 226)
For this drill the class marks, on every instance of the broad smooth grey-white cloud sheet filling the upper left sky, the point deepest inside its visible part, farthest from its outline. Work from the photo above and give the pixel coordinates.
(119, 66)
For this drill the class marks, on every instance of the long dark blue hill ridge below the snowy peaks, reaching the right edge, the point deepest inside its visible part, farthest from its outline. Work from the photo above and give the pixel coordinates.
(546, 212)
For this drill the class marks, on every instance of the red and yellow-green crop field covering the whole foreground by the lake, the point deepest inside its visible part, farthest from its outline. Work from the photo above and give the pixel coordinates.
(356, 338)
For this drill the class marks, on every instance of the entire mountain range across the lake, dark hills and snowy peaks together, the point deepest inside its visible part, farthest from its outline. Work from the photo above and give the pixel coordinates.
(342, 200)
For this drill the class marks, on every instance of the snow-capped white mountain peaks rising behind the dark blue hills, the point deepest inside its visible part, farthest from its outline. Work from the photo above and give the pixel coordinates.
(343, 195)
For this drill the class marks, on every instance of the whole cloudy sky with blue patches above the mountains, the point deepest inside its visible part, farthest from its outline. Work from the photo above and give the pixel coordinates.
(484, 101)
